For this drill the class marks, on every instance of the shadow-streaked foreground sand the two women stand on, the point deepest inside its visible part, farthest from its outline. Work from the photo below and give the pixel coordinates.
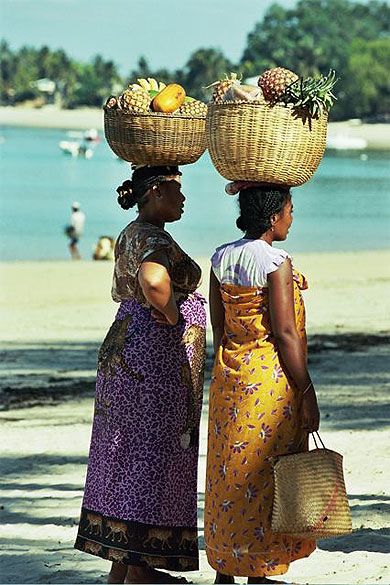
(54, 316)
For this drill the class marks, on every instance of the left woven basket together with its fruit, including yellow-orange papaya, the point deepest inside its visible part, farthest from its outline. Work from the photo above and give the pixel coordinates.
(154, 123)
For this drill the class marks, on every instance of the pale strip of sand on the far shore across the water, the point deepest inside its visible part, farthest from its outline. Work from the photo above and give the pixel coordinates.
(377, 136)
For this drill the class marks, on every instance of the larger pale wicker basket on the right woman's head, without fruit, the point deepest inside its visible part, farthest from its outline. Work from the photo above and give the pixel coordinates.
(252, 141)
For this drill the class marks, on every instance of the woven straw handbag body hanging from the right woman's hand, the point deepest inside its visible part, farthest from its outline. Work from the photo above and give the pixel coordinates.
(310, 499)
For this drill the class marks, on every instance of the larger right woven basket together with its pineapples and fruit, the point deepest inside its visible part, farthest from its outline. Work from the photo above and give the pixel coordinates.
(274, 132)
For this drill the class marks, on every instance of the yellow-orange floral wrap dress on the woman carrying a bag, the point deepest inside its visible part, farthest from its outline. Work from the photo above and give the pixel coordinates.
(254, 414)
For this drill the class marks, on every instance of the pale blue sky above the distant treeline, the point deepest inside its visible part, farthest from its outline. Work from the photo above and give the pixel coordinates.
(166, 32)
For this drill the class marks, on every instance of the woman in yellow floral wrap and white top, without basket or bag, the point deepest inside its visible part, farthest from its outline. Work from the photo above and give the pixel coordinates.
(262, 400)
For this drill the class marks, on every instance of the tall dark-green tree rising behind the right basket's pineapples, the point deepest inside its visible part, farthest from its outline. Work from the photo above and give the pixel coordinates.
(315, 36)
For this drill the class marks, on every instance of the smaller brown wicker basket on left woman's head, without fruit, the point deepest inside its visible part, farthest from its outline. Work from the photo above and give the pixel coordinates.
(154, 138)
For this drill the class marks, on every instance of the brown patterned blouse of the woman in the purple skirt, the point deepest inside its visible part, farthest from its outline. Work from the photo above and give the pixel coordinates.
(135, 243)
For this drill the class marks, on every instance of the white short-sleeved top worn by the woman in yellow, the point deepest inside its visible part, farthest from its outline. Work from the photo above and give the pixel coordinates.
(246, 262)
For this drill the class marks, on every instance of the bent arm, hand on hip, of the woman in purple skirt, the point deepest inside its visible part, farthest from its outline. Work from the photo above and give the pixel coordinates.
(154, 279)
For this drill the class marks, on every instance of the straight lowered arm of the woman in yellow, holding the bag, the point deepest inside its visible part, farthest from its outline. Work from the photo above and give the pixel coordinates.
(281, 306)
